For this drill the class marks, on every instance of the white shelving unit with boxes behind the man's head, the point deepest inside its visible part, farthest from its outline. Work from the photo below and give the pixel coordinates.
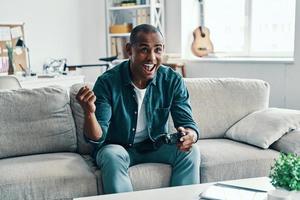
(122, 17)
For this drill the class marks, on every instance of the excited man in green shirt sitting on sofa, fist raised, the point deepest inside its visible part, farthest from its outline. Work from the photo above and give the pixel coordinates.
(127, 113)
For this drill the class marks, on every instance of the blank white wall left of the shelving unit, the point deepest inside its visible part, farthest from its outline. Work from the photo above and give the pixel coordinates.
(72, 29)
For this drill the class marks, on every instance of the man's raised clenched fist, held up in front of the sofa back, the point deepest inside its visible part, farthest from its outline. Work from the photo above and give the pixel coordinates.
(86, 99)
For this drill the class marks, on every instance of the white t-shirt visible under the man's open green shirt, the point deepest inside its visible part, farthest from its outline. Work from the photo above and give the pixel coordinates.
(141, 128)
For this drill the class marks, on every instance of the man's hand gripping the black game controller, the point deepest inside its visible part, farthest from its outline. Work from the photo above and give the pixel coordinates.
(189, 137)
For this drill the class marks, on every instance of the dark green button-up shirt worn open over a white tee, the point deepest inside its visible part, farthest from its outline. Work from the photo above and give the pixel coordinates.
(116, 106)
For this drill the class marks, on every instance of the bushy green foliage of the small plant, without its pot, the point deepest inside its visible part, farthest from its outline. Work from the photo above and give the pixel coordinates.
(285, 173)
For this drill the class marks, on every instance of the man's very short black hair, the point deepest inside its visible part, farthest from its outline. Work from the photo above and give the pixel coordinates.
(146, 28)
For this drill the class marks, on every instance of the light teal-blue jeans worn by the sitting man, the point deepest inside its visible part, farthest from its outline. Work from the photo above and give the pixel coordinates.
(114, 161)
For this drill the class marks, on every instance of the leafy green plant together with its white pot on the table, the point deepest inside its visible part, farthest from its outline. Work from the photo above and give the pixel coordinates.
(285, 177)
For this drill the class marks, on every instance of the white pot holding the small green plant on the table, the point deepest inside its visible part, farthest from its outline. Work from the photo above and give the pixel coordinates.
(282, 194)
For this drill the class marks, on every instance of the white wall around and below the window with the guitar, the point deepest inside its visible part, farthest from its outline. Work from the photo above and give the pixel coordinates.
(283, 78)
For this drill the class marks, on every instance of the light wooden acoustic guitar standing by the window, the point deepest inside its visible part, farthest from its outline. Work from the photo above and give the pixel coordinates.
(202, 44)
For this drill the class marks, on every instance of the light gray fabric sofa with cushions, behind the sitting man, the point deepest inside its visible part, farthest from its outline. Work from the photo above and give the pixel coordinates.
(43, 154)
